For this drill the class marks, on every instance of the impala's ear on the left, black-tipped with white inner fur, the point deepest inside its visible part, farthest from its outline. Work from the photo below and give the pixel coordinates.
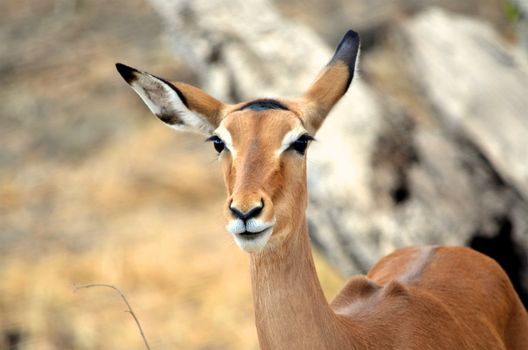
(178, 105)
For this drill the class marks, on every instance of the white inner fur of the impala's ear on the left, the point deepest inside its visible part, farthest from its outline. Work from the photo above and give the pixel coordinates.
(161, 99)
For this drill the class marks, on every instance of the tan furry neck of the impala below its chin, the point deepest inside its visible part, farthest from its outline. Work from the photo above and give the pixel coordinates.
(291, 310)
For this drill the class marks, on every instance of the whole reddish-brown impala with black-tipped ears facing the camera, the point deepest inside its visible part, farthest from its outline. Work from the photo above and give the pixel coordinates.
(430, 297)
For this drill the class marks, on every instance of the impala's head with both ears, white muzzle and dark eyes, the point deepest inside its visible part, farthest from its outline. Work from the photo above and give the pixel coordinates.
(261, 144)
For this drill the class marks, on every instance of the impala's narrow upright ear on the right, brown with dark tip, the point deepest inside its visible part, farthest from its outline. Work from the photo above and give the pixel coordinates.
(332, 83)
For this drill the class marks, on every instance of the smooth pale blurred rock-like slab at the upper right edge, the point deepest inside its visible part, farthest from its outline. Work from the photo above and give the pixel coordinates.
(478, 85)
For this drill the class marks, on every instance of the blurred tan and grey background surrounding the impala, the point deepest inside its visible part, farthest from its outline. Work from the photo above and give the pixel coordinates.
(429, 147)
